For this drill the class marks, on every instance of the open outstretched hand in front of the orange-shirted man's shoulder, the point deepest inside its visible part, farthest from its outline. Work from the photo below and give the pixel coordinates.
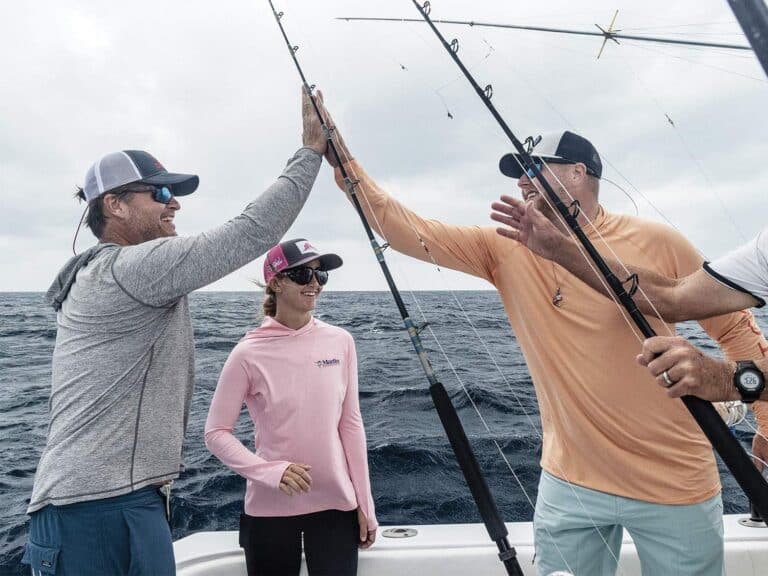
(526, 224)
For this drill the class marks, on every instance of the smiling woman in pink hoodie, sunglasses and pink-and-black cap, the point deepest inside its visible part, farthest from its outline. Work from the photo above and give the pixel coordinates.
(309, 474)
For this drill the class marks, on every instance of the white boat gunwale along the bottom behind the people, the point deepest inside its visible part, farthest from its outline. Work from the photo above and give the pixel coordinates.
(456, 549)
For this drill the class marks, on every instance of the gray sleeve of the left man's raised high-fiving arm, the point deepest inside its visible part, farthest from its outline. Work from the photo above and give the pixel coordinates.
(159, 272)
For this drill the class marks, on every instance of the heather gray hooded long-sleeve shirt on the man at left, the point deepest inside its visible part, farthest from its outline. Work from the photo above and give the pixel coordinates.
(123, 364)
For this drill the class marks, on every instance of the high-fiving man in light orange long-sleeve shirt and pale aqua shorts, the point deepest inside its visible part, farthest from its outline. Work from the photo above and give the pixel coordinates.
(616, 452)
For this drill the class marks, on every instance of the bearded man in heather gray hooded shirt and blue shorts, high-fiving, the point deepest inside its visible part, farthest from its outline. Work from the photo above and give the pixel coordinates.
(123, 364)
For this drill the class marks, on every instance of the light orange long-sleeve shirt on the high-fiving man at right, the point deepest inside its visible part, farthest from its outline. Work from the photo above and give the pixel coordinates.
(607, 425)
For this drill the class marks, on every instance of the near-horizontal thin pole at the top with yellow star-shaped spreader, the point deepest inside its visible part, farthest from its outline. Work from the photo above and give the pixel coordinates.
(606, 33)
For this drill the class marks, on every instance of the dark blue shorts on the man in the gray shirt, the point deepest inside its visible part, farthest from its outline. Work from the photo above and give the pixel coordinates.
(124, 535)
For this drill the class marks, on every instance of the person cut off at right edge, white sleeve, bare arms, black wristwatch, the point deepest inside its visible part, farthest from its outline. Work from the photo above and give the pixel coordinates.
(736, 281)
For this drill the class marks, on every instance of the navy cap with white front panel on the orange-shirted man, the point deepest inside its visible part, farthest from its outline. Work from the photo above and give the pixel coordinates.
(556, 148)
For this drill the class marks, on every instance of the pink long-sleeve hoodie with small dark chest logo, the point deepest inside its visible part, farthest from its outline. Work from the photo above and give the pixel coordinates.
(300, 387)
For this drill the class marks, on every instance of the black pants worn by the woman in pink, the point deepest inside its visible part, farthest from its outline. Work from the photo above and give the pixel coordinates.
(272, 544)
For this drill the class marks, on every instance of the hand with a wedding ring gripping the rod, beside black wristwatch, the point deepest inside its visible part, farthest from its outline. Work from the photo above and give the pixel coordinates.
(692, 372)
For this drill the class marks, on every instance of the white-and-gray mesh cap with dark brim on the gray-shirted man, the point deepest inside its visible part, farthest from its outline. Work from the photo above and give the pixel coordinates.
(129, 166)
